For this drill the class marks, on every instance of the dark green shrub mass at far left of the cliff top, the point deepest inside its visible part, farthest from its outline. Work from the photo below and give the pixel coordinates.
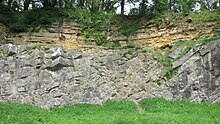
(23, 21)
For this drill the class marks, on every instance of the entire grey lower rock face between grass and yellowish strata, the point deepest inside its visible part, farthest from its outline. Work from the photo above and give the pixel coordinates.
(51, 77)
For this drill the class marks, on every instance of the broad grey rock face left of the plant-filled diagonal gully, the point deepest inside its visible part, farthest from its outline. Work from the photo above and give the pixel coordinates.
(50, 77)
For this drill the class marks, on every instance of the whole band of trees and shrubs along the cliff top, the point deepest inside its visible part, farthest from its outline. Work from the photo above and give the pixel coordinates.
(95, 17)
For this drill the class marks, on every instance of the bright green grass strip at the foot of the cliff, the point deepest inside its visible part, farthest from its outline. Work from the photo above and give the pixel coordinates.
(157, 111)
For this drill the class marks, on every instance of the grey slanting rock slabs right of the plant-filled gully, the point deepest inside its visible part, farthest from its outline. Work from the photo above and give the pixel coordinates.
(198, 74)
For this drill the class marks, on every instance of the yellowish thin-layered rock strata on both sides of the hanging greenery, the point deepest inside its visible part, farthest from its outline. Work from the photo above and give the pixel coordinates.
(150, 34)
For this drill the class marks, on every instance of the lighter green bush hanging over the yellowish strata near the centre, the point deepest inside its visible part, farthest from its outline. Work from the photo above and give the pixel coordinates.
(94, 26)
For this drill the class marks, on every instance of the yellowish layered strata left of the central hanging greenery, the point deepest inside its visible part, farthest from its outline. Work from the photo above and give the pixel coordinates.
(56, 32)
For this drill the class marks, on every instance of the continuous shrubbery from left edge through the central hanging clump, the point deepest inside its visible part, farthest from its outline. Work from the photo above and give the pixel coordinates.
(93, 25)
